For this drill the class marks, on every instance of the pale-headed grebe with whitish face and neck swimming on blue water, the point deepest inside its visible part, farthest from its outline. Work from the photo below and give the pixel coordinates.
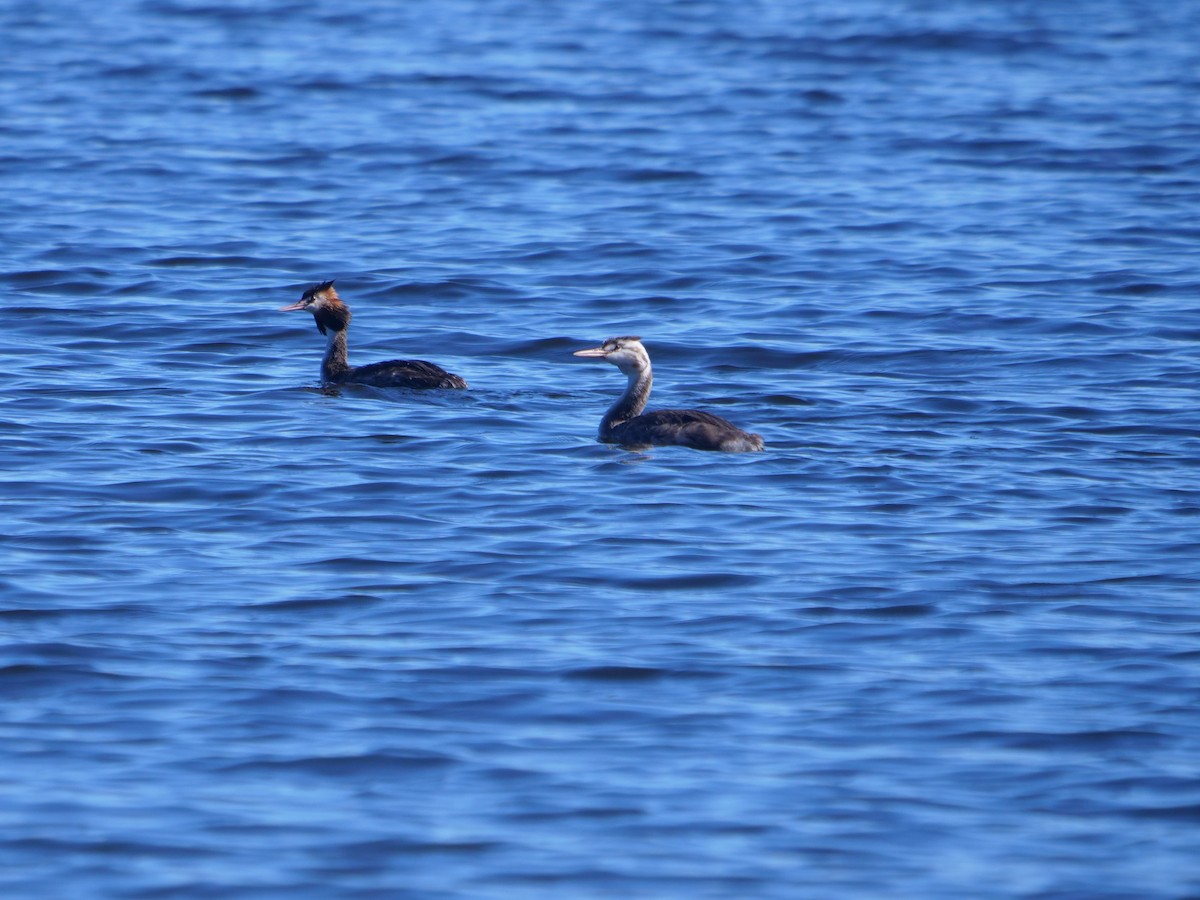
(626, 424)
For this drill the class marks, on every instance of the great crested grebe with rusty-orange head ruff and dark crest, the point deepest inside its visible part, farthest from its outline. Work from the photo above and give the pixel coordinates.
(334, 320)
